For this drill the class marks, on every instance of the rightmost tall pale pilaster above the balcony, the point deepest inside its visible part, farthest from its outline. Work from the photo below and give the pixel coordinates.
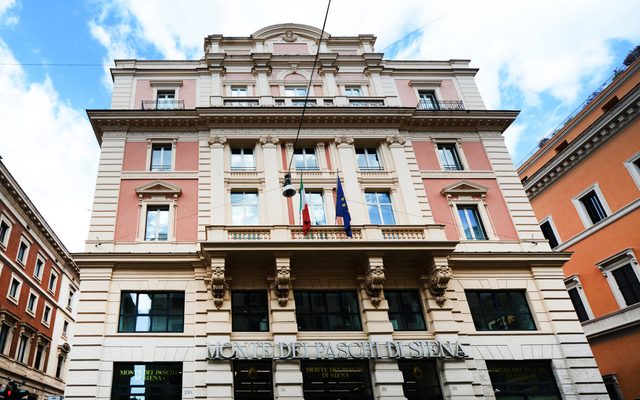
(405, 182)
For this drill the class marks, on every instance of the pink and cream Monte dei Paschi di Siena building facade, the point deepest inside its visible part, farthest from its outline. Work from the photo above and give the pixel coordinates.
(198, 281)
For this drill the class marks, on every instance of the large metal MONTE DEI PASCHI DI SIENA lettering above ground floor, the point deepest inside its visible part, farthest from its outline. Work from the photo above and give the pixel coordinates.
(363, 350)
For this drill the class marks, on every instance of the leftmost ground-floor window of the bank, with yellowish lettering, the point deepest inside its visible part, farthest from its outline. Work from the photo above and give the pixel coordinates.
(147, 381)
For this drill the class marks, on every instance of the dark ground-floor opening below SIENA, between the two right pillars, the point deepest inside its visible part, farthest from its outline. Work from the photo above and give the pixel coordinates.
(420, 380)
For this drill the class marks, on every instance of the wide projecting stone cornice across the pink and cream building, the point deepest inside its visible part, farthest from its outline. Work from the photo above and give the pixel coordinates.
(288, 117)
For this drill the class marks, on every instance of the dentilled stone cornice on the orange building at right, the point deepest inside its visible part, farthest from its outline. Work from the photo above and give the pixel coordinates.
(592, 138)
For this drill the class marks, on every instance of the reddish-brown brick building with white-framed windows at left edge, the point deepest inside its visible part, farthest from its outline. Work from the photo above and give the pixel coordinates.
(39, 283)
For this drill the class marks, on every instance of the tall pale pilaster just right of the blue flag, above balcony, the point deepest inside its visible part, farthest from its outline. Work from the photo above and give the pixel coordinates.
(350, 183)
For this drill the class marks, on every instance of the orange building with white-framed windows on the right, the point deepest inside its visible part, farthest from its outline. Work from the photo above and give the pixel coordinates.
(584, 185)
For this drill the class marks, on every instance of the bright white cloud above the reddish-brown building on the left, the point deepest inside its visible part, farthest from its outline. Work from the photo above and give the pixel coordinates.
(49, 148)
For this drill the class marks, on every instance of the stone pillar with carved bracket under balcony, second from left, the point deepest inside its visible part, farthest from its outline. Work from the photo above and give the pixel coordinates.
(287, 377)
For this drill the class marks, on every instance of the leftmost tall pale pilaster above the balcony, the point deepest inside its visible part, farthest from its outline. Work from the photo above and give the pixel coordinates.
(218, 191)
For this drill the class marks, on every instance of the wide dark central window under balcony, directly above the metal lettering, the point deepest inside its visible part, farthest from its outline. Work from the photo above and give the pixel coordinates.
(327, 311)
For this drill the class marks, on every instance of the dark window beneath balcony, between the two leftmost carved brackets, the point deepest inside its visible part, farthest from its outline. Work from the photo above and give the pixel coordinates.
(250, 311)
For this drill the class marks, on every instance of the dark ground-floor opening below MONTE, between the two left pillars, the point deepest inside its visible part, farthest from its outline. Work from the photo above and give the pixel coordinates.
(252, 380)
